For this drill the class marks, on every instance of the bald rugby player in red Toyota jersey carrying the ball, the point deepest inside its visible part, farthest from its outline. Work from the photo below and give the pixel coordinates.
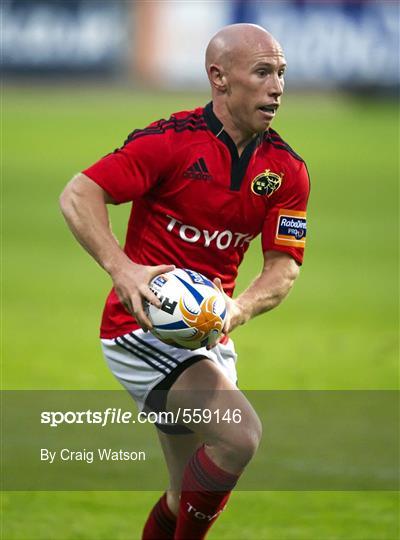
(203, 184)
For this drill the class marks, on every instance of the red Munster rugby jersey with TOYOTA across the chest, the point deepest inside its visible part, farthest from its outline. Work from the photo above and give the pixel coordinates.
(197, 204)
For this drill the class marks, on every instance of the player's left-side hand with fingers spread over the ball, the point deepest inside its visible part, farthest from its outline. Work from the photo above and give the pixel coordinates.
(131, 282)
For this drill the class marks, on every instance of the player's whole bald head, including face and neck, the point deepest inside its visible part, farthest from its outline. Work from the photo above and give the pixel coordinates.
(245, 66)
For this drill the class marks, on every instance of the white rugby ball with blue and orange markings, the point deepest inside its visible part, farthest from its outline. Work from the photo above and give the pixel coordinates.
(192, 312)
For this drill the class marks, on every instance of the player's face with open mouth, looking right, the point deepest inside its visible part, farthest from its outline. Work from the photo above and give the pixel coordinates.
(255, 86)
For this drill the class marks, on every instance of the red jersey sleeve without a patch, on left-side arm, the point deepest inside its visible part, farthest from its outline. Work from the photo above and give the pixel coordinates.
(132, 170)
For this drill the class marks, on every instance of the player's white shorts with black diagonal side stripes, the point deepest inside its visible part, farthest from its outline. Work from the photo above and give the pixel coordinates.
(142, 363)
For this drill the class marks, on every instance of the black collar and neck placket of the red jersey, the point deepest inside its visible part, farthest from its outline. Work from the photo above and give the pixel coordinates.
(239, 164)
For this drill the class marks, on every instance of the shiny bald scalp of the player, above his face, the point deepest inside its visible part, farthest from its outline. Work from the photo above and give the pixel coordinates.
(235, 41)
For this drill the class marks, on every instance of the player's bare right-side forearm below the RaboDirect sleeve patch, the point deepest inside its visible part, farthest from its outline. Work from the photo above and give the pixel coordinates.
(265, 292)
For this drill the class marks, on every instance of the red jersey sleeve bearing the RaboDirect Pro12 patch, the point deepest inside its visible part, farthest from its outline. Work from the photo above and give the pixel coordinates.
(285, 225)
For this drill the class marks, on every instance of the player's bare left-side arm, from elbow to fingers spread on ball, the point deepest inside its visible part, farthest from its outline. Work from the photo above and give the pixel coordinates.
(83, 204)
